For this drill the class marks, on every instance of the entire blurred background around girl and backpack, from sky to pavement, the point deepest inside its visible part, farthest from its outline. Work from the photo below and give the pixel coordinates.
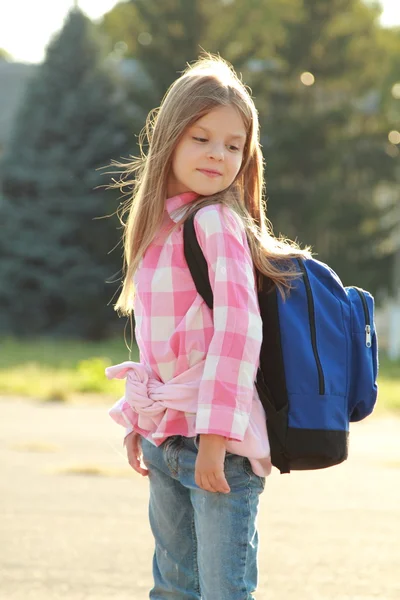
(77, 80)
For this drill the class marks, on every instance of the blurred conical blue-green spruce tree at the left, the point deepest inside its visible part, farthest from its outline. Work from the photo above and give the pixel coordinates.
(55, 259)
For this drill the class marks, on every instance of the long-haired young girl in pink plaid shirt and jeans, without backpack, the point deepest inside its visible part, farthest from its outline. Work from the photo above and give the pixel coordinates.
(194, 421)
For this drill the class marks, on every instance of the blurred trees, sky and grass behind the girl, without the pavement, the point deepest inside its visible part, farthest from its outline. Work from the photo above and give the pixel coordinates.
(77, 79)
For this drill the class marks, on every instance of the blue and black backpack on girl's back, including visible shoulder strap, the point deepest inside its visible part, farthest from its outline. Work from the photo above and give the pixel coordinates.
(318, 360)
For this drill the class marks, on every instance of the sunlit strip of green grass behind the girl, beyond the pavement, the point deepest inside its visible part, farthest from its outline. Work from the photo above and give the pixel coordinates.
(72, 371)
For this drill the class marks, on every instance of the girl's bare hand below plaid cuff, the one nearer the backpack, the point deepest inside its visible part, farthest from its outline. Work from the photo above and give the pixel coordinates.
(209, 470)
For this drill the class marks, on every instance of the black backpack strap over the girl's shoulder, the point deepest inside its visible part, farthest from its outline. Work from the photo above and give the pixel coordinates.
(196, 262)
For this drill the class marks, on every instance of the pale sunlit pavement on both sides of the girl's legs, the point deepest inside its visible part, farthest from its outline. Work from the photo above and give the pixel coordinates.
(73, 515)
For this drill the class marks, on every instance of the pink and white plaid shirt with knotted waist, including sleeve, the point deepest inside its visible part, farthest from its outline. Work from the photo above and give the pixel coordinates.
(197, 365)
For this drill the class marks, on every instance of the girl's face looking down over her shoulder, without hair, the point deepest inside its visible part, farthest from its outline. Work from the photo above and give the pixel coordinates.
(209, 155)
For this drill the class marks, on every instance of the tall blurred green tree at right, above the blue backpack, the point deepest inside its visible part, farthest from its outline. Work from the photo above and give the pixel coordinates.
(325, 139)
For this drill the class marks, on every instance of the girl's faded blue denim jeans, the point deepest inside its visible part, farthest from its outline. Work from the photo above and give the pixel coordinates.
(205, 543)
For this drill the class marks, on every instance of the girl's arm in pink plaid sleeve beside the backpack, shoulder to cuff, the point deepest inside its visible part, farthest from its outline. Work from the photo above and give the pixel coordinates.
(227, 387)
